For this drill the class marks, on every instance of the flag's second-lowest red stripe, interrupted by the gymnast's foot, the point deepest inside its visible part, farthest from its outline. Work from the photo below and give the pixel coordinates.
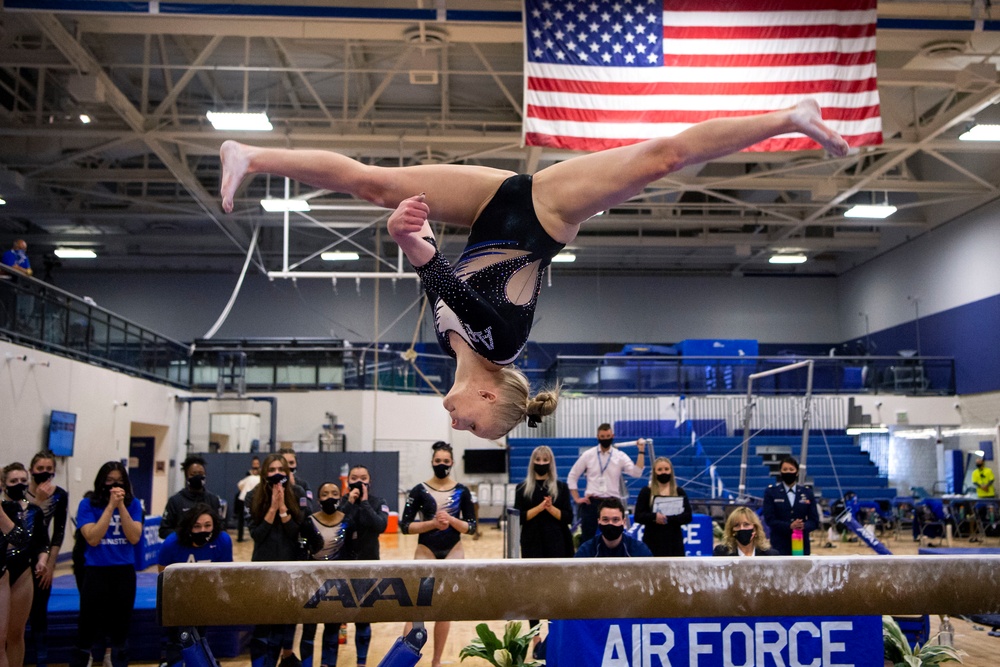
(670, 116)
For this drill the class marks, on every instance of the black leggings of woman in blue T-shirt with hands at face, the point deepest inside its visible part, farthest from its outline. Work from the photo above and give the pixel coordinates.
(106, 603)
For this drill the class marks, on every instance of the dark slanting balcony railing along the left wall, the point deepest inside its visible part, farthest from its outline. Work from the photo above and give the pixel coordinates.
(42, 316)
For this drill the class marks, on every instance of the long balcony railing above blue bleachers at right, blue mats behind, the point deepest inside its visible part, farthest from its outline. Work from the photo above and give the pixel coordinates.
(633, 375)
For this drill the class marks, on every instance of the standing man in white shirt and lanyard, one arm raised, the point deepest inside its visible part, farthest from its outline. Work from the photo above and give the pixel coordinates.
(602, 466)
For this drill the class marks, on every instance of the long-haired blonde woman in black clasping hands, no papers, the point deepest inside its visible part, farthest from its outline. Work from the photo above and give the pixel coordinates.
(546, 512)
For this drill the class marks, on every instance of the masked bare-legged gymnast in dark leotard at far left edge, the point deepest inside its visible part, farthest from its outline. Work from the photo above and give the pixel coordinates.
(22, 560)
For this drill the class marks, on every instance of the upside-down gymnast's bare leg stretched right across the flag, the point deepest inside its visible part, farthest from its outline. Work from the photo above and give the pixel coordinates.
(570, 192)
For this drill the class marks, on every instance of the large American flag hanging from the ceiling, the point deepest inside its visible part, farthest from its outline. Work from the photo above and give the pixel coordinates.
(600, 74)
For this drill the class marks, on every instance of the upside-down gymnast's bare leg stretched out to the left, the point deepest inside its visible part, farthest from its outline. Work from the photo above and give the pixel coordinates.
(455, 193)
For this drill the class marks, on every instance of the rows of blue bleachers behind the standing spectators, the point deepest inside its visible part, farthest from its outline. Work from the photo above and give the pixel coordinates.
(854, 468)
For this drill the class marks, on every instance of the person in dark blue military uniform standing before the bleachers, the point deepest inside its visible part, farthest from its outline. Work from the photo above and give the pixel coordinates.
(789, 506)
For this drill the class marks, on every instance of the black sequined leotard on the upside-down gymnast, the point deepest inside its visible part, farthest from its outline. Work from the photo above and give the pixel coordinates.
(485, 297)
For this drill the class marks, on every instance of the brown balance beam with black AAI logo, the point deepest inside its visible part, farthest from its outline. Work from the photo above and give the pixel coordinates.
(499, 589)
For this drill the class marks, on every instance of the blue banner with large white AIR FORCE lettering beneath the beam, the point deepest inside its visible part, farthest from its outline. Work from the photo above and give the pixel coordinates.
(826, 641)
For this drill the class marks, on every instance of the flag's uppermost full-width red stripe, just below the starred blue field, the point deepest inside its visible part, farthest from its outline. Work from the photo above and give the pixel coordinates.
(676, 88)
